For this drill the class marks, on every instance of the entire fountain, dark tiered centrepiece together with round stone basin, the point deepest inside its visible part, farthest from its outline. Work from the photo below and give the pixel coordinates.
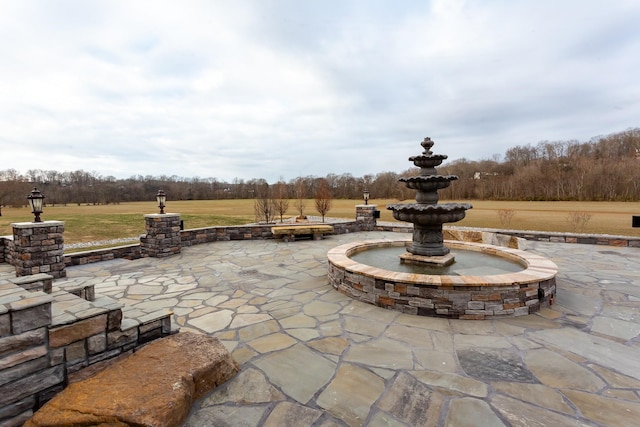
(469, 292)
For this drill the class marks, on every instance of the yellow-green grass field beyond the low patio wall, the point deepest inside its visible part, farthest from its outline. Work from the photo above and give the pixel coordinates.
(104, 222)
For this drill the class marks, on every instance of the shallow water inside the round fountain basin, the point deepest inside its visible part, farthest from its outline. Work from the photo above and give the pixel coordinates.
(468, 263)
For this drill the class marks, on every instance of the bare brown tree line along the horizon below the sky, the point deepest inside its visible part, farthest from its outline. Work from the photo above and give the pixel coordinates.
(603, 168)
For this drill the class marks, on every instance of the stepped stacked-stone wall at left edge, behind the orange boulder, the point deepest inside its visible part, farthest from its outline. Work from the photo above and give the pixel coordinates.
(49, 336)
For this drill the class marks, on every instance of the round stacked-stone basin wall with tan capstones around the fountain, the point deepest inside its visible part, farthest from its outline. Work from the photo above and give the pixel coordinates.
(451, 296)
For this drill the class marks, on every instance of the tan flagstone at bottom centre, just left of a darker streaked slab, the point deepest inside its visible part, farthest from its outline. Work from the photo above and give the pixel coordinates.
(351, 394)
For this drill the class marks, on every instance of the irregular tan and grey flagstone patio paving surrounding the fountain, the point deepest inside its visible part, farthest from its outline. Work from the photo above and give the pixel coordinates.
(312, 356)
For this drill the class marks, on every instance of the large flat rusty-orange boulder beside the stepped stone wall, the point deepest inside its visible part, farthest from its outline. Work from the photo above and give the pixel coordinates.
(155, 386)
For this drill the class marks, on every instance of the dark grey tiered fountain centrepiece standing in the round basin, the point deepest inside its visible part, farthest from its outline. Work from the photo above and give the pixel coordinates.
(426, 214)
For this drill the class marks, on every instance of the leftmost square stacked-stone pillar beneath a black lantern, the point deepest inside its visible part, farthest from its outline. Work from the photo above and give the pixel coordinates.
(38, 247)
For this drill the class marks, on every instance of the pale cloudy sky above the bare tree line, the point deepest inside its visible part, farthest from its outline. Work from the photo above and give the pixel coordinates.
(284, 88)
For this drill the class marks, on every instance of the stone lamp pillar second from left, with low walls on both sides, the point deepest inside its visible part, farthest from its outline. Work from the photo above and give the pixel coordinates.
(163, 235)
